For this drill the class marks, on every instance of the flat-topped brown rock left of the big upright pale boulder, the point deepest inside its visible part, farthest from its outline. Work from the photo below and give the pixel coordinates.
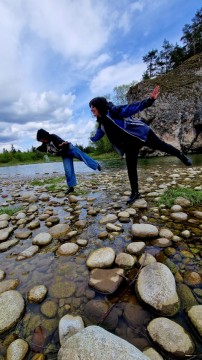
(106, 281)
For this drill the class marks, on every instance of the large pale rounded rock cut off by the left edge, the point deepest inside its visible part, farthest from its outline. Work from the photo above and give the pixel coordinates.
(11, 308)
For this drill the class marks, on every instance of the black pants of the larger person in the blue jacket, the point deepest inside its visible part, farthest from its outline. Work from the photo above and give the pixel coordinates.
(132, 148)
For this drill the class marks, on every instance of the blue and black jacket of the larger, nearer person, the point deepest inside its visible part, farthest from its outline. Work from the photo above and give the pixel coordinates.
(120, 127)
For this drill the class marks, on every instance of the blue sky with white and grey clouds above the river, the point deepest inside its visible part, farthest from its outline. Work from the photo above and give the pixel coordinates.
(56, 55)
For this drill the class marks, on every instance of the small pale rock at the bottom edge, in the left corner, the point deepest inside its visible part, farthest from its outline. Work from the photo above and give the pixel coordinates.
(17, 350)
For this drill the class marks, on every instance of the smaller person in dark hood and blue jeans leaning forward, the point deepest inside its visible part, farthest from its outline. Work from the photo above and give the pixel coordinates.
(54, 145)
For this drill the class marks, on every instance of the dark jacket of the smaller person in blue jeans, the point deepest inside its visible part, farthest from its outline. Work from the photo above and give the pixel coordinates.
(52, 146)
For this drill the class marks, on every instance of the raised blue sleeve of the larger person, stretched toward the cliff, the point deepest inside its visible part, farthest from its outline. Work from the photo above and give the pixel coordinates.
(123, 111)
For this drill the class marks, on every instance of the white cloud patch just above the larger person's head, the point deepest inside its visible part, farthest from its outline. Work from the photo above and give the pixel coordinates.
(122, 73)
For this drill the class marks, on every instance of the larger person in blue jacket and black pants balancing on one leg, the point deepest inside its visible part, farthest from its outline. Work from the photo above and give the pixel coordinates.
(127, 135)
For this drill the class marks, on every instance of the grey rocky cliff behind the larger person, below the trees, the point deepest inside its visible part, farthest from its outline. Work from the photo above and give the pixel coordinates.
(177, 114)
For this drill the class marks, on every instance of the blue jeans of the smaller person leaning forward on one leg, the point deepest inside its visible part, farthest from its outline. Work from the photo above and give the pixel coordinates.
(68, 163)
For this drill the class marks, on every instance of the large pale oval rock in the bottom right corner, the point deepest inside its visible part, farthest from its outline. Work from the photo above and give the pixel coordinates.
(171, 337)
